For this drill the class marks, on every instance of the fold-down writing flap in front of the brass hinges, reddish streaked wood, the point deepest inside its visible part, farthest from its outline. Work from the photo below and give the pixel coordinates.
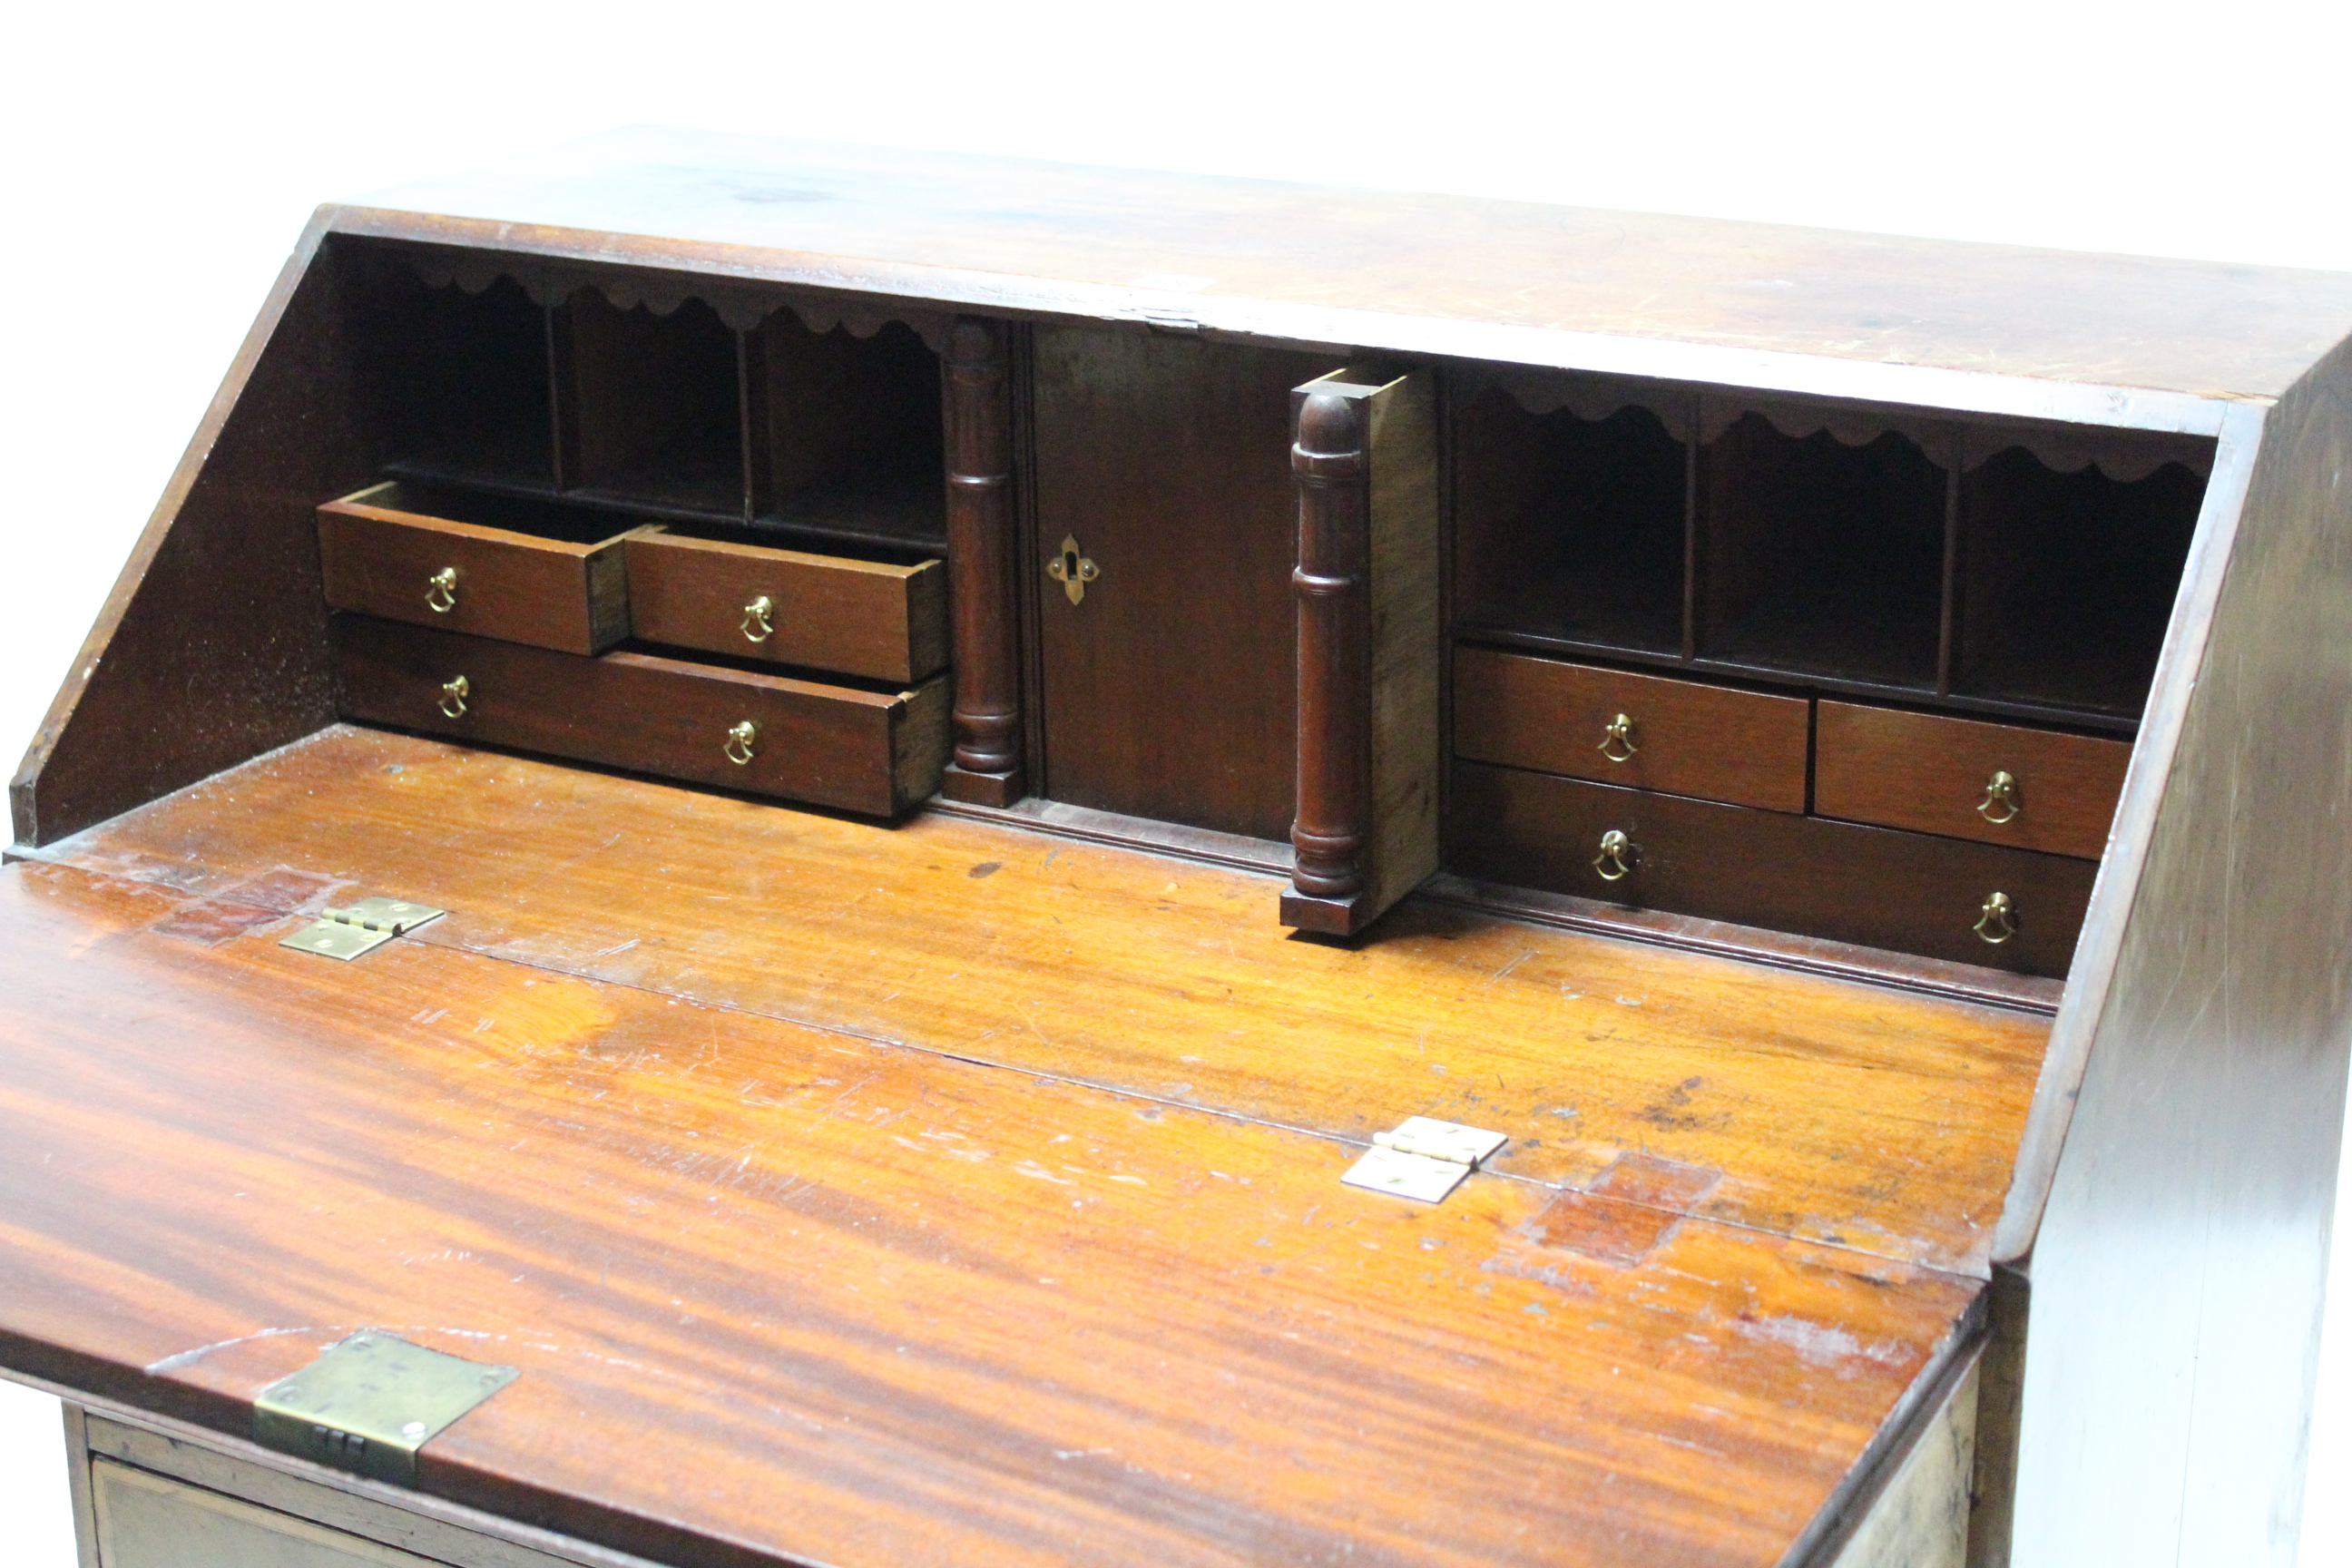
(791, 1294)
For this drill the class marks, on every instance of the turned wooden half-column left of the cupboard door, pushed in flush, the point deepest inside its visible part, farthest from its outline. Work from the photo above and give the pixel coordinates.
(982, 551)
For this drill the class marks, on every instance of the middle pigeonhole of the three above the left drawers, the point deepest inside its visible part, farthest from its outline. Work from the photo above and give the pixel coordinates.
(657, 406)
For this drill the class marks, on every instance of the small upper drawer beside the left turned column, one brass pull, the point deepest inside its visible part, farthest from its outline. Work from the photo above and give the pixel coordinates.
(789, 608)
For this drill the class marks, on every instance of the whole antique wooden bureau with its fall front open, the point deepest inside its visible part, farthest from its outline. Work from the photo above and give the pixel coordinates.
(987, 725)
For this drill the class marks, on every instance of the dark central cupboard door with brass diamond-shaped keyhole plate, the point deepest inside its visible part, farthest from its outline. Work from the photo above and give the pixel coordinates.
(1170, 688)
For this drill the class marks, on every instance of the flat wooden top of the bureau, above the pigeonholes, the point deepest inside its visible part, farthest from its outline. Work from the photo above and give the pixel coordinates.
(1986, 328)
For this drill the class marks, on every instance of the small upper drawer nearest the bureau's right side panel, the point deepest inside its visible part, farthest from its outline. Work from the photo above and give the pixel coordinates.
(1937, 775)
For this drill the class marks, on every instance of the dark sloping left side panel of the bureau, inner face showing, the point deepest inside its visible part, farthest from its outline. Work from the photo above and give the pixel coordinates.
(213, 645)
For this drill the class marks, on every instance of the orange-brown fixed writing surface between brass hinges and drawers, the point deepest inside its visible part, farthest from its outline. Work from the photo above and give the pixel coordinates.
(1833, 1111)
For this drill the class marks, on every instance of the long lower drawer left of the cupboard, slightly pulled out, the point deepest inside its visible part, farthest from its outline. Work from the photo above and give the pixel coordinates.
(860, 751)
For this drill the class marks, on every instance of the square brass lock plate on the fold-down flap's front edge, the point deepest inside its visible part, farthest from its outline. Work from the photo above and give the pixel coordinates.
(370, 1402)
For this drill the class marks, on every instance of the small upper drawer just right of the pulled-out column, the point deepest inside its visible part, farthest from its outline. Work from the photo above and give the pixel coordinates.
(1678, 737)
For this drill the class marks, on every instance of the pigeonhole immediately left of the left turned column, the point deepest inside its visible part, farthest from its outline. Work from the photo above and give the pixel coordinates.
(848, 436)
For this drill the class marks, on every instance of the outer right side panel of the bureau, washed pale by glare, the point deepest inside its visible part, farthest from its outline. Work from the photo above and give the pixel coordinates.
(2181, 1257)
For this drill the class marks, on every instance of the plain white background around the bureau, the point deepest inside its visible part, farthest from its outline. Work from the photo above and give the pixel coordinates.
(163, 166)
